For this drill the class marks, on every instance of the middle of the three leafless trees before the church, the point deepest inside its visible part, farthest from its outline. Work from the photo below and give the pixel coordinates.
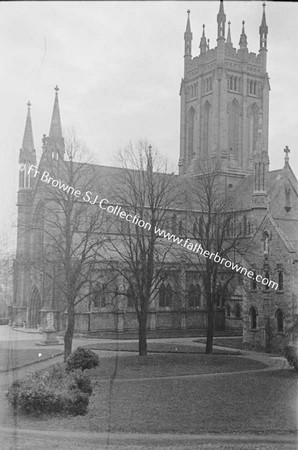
(146, 191)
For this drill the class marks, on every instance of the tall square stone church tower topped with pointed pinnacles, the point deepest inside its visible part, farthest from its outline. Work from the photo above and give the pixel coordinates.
(223, 92)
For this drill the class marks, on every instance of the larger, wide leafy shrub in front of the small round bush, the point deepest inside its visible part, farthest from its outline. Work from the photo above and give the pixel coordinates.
(52, 391)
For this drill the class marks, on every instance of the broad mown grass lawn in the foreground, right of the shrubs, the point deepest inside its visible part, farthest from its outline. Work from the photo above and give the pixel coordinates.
(142, 395)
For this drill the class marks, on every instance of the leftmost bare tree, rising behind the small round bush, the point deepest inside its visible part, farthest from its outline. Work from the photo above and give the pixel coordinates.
(69, 232)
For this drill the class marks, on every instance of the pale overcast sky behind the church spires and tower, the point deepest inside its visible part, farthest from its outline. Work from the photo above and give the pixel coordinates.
(119, 66)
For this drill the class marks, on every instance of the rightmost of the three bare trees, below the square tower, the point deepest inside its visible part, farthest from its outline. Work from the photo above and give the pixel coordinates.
(213, 223)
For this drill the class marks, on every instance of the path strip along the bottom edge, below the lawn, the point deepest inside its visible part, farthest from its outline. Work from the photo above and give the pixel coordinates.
(46, 440)
